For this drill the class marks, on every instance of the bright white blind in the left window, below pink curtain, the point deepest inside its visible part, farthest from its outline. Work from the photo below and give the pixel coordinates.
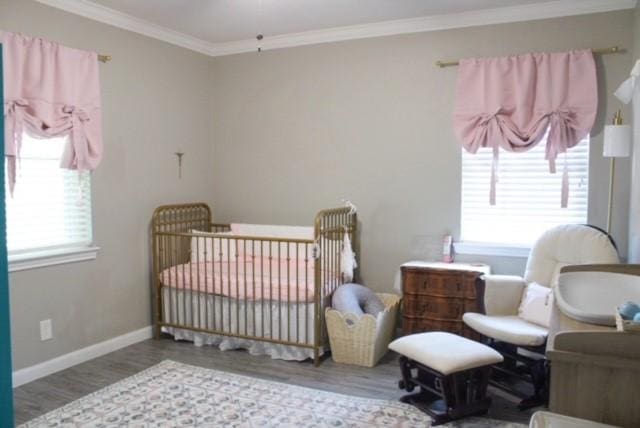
(51, 207)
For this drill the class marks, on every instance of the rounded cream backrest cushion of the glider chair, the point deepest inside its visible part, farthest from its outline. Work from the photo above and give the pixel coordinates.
(569, 244)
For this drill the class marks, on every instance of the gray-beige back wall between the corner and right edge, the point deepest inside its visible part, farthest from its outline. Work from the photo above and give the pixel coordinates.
(296, 130)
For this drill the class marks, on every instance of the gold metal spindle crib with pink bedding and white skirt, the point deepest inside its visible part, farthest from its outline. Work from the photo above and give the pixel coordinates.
(248, 286)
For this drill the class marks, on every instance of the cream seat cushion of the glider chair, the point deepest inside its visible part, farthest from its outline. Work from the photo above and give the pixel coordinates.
(511, 329)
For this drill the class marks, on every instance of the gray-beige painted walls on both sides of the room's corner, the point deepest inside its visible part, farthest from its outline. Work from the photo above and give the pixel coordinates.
(272, 138)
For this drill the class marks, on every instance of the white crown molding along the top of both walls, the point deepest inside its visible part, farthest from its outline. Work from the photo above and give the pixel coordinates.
(532, 12)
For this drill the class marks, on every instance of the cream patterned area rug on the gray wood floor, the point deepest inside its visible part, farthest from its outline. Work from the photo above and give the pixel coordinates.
(173, 394)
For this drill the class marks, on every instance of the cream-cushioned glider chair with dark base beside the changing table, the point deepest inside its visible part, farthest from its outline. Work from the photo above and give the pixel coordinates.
(517, 310)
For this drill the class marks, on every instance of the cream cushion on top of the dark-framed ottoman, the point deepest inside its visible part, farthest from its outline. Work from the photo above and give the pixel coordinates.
(445, 352)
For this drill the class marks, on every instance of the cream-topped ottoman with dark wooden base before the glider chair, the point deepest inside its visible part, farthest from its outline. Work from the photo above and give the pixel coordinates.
(451, 371)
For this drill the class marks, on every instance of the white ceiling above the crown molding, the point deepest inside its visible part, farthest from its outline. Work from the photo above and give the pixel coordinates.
(218, 21)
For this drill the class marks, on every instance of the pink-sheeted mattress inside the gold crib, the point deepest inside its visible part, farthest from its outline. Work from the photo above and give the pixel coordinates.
(249, 278)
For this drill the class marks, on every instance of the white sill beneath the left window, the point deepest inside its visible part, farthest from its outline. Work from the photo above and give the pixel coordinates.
(39, 259)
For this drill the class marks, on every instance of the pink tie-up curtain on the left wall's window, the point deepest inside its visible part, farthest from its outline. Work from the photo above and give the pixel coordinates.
(51, 90)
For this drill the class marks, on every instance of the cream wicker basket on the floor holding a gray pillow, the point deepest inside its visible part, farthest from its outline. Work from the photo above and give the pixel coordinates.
(364, 341)
